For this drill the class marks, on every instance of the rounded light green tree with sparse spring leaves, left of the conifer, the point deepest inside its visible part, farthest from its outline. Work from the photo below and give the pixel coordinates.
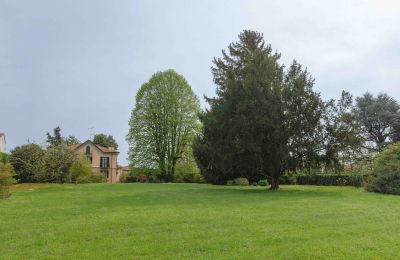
(162, 123)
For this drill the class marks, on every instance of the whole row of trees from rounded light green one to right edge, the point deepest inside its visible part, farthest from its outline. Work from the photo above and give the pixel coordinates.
(266, 120)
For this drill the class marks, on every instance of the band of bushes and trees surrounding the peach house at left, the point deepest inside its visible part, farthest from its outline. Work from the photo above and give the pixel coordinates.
(55, 162)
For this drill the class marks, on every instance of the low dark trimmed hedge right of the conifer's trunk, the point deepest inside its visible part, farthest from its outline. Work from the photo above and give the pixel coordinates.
(331, 180)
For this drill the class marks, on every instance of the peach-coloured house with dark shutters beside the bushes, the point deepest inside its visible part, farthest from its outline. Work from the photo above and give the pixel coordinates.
(103, 159)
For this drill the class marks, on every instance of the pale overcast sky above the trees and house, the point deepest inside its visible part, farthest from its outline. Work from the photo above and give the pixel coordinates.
(78, 64)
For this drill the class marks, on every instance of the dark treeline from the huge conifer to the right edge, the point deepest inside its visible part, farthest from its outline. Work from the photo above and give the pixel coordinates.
(267, 120)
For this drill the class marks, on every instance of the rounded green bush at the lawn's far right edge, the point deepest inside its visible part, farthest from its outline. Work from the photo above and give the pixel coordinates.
(385, 177)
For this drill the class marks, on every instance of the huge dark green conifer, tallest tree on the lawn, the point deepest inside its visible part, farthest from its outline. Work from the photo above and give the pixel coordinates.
(262, 118)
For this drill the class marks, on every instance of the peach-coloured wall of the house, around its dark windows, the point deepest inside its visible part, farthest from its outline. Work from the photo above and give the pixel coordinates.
(96, 155)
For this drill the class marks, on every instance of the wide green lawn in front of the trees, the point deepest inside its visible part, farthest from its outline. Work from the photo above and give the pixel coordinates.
(169, 221)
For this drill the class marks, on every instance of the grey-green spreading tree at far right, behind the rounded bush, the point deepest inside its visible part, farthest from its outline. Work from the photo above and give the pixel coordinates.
(379, 117)
